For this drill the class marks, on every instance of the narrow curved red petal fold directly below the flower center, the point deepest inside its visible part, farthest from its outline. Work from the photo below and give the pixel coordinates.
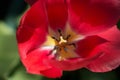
(73, 64)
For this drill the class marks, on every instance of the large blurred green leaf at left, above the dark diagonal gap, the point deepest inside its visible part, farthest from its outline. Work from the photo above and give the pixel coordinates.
(8, 49)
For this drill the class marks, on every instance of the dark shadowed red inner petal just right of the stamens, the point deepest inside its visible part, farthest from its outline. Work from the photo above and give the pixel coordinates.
(85, 46)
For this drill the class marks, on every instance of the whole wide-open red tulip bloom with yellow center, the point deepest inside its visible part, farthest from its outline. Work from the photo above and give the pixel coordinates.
(63, 35)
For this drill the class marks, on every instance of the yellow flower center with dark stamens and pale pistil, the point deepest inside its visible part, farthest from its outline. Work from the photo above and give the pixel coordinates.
(64, 43)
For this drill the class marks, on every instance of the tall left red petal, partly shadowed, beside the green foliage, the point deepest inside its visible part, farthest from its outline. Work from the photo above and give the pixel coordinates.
(32, 30)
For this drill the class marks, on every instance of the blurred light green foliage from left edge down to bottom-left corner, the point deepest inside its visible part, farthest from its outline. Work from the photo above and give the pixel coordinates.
(10, 65)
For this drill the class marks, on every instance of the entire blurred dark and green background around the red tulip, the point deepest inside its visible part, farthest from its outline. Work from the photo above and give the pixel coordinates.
(10, 65)
